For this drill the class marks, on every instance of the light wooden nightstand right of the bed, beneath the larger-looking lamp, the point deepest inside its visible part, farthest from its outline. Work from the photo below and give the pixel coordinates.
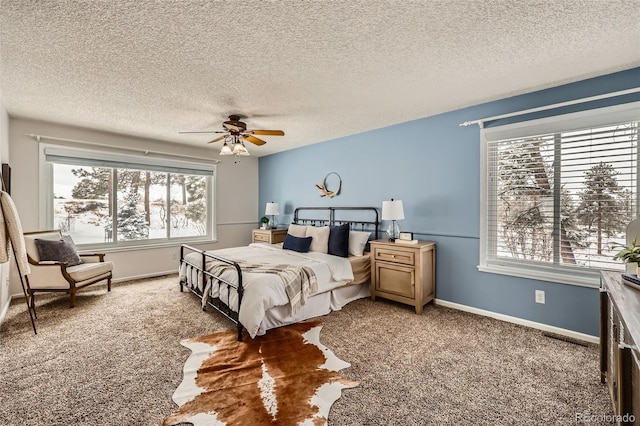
(405, 273)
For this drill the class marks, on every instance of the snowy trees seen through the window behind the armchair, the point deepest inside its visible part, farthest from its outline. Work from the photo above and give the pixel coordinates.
(87, 205)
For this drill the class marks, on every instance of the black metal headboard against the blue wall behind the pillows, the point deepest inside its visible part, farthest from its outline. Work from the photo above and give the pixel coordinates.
(355, 224)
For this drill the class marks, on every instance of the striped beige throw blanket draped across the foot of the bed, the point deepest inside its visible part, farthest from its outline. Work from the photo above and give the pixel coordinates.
(299, 282)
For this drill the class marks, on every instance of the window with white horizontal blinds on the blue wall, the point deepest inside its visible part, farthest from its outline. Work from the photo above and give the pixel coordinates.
(559, 193)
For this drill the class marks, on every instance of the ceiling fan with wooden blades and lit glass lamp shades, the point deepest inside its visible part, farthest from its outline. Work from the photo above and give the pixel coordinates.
(235, 133)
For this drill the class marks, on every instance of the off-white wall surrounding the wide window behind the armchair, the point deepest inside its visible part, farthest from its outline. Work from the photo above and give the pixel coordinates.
(236, 192)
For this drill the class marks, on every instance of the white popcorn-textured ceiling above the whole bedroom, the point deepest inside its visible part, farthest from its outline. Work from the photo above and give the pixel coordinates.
(316, 69)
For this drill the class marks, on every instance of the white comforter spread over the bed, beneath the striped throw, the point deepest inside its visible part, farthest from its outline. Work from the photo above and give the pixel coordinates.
(264, 291)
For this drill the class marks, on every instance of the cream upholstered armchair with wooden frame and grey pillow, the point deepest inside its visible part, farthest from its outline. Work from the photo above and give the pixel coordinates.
(61, 268)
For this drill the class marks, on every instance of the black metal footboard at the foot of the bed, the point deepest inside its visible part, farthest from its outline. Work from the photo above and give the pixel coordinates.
(198, 274)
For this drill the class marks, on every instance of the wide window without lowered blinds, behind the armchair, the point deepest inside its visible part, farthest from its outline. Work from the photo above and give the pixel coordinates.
(105, 199)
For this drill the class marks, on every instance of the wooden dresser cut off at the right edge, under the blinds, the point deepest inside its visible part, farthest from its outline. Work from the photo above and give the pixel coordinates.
(619, 338)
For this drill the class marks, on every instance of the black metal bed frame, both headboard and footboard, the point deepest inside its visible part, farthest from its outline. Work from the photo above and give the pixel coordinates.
(206, 277)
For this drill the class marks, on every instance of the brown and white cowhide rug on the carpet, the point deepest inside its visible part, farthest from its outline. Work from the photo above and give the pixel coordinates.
(286, 377)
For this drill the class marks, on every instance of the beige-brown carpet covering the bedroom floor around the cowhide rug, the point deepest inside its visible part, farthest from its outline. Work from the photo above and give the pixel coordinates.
(116, 359)
